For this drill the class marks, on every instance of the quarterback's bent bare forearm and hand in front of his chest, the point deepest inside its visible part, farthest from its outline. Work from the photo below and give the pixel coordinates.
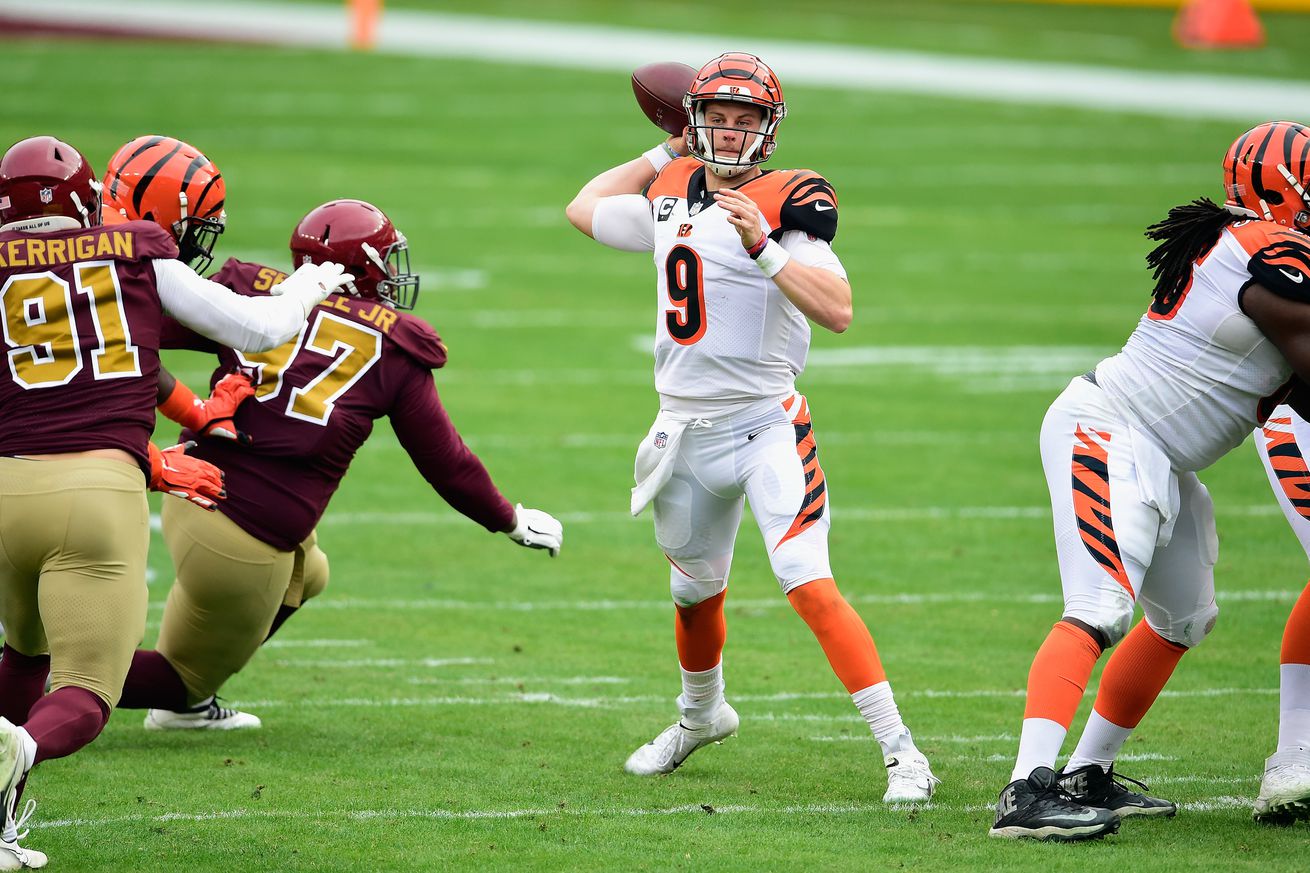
(822, 296)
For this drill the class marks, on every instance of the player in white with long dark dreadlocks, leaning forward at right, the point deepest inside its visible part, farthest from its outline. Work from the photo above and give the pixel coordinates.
(1208, 362)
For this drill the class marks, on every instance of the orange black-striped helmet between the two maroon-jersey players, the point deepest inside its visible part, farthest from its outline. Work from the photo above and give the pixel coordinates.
(167, 182)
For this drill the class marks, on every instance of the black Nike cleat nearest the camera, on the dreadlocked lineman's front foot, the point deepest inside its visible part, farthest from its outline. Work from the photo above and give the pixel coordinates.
(1037, 808)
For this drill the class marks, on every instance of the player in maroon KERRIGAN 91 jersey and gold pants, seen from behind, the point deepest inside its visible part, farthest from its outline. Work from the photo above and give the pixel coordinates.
(82, 313)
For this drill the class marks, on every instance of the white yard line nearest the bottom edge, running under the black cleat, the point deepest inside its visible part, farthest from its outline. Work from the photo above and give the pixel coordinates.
(1206, 805)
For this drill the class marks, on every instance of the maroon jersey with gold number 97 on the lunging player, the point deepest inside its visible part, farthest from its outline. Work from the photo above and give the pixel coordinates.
(316, 402)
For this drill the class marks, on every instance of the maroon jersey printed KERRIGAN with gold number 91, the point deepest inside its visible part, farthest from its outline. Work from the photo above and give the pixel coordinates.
(82, 330)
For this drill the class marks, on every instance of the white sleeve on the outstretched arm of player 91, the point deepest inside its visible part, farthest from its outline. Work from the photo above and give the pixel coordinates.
(246, 324)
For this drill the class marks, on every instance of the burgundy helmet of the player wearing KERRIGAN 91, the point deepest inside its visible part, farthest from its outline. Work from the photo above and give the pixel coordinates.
(41, 178)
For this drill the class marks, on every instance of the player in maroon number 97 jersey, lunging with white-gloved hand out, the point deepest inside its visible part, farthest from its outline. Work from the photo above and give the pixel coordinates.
(243, 571)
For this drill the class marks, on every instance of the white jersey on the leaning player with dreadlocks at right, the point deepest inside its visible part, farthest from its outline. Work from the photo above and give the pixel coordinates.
(1199, 376)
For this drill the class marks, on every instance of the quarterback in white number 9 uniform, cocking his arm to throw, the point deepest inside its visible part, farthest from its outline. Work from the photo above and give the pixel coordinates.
(742, 260)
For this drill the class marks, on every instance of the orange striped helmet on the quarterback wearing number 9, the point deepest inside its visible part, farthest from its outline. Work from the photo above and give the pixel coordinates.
(739, 78)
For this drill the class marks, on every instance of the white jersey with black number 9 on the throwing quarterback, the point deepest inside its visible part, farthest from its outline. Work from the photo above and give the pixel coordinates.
(725, 334)
